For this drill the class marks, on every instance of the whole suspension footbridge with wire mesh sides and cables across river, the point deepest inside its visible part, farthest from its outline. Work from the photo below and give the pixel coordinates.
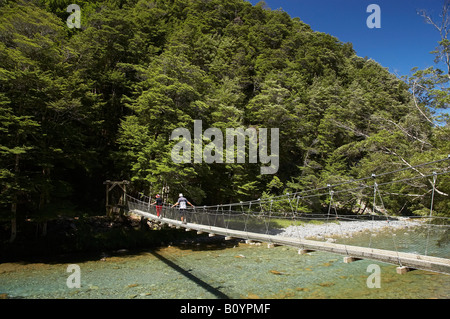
(416, 242)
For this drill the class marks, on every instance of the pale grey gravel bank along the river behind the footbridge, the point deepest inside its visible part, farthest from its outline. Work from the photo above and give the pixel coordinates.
(345, 228)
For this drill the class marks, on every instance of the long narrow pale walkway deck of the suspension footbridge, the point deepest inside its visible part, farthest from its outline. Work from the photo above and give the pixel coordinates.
(405, 261)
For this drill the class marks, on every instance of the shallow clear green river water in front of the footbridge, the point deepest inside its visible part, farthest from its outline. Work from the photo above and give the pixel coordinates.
(218, 270)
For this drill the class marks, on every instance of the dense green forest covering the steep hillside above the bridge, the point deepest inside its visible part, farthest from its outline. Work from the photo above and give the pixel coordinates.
(83, 105)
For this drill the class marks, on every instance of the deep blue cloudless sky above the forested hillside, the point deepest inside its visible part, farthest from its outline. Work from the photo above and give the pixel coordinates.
(404, 40)
